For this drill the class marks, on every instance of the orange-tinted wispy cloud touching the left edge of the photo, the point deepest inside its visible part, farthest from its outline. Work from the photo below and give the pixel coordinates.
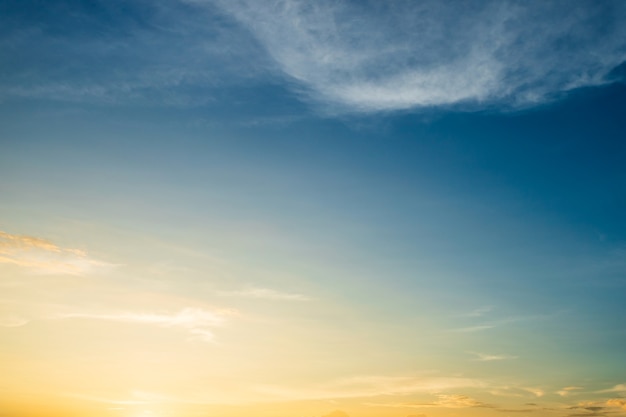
(44, 257)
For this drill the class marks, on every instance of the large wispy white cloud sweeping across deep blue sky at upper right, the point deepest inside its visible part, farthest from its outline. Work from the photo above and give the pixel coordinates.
(371, 57)
